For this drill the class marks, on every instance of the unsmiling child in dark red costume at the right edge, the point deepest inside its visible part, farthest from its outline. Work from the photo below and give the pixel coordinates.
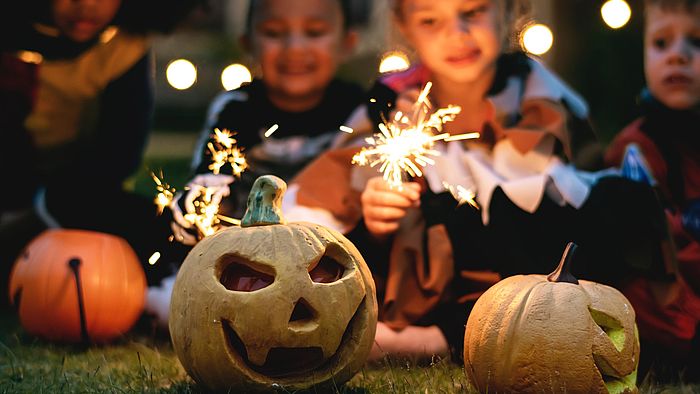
(669, 139)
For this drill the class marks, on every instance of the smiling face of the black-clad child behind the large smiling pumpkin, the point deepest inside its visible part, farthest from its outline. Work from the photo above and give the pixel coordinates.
(299, 45)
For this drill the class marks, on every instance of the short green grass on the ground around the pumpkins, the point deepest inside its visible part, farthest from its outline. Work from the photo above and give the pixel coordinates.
(146, 363)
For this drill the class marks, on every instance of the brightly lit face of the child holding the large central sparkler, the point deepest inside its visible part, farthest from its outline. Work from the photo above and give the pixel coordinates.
(456, 39)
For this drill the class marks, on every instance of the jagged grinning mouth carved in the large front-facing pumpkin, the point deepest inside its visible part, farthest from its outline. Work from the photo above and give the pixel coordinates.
(283, 362)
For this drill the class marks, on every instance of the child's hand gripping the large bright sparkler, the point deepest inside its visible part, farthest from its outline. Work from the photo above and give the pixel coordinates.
(383, 207)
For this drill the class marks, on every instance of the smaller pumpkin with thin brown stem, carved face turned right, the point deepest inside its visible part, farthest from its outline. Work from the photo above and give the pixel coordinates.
(536, 333)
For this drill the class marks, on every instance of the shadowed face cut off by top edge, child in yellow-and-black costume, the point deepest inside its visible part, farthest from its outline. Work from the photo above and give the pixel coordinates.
(82, 20)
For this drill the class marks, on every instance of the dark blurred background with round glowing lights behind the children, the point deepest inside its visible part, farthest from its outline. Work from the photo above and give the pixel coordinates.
(594, 45)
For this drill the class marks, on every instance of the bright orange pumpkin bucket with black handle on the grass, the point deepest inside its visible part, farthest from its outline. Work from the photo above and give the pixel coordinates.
(78, 286)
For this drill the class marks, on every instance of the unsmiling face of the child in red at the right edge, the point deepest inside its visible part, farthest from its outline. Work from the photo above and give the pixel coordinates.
(672, 56)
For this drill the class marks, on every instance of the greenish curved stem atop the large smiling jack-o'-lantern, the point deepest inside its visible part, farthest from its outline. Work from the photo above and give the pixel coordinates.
(265, 202)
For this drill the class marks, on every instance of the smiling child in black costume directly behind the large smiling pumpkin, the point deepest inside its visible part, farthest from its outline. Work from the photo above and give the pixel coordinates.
(298, 47)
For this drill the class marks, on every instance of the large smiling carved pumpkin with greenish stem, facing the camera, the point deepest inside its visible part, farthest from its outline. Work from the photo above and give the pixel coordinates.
(272, 303)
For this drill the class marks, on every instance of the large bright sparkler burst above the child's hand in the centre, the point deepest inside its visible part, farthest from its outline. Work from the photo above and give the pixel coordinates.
(404, 145)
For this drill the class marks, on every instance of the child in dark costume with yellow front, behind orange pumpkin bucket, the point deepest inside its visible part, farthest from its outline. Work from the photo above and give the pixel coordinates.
(76, 89)
